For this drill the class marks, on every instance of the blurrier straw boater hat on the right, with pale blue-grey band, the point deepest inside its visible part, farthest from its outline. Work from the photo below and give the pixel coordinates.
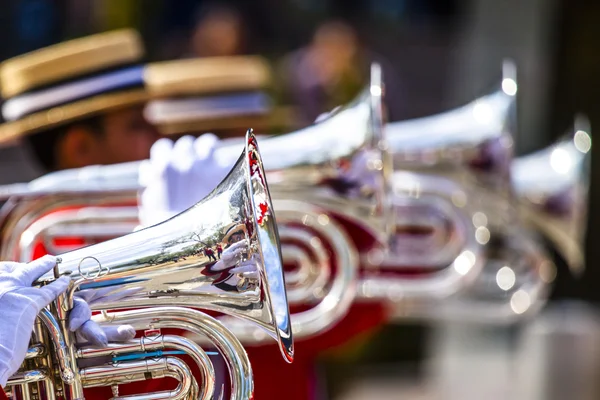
(210, 94)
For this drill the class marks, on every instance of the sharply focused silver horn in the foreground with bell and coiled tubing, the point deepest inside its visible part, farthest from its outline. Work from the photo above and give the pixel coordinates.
(157, 278)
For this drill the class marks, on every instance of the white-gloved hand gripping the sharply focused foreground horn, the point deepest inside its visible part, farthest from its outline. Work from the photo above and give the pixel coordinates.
(20, 303)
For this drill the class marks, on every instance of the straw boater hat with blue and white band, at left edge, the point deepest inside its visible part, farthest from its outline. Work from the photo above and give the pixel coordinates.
(70, 81)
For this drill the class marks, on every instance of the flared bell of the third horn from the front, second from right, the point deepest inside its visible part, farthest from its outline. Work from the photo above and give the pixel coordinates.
(471, 145)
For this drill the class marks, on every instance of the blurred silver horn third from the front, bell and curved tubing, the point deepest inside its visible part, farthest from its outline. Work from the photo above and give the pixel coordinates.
(450, 169)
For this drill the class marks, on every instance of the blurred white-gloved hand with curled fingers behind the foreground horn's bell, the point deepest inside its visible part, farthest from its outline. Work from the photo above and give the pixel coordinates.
(179, 175)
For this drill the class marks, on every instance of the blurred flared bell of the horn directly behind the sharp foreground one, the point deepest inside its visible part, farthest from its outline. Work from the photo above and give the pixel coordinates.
(340, 161)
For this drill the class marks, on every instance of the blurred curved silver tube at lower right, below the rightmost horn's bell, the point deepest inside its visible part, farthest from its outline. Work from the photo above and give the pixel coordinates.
(512, 286)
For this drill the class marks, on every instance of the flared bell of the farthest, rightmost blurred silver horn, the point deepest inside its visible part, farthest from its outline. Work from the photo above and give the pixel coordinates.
(552, 187)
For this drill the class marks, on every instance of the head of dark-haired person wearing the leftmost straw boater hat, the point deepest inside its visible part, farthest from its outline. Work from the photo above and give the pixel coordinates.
(79, 102)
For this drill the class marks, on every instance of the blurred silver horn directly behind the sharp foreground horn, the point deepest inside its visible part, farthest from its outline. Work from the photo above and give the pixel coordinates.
(311, 177)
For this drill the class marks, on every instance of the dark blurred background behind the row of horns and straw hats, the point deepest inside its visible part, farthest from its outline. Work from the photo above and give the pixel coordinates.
(436, 55)
